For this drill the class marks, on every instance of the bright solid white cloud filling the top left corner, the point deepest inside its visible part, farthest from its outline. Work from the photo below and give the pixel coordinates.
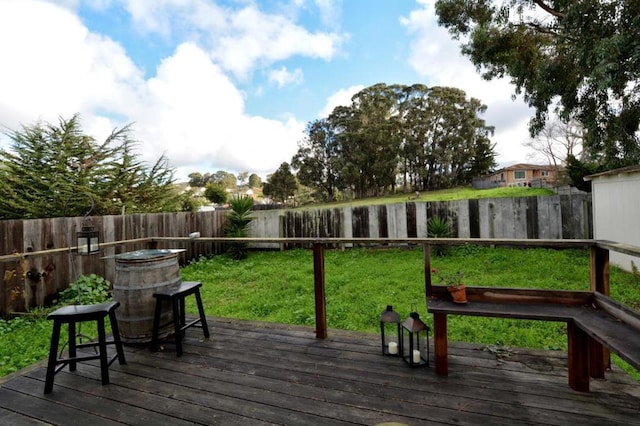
(58, 68)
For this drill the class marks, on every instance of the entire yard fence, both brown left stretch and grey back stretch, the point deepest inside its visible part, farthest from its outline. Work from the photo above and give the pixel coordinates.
(38, 257)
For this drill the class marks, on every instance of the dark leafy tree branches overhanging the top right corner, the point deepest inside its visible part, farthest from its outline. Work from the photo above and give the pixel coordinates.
(580, 58)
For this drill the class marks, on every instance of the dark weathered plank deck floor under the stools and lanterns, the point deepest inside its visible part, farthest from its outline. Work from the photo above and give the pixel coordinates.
(256, 373)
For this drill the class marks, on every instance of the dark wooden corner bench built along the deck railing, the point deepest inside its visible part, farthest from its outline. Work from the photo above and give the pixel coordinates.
(595, 324)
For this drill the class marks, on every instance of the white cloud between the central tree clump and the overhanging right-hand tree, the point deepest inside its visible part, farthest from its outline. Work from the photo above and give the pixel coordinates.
(436, 56)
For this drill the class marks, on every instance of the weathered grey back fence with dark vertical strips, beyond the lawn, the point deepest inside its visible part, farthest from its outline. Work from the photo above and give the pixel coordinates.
(549, 217)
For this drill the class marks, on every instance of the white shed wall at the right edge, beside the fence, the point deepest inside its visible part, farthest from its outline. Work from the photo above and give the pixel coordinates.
(616, 210)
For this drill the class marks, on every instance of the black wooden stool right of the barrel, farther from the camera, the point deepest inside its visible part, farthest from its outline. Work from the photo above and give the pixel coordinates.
(176, 296)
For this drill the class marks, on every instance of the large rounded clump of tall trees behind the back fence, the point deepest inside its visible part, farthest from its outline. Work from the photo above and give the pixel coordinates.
(432, 137)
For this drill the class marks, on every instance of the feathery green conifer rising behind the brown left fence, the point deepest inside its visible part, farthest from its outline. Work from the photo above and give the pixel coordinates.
(57, 170)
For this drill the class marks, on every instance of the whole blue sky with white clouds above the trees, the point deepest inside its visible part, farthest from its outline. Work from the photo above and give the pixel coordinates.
(227, 85)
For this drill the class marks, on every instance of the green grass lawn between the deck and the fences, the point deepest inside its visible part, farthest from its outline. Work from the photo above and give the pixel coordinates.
(278, 287)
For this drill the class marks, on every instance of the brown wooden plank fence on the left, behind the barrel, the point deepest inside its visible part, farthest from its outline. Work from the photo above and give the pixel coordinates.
(38, 257)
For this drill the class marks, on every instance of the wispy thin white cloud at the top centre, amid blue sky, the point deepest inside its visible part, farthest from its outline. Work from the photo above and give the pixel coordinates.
(238, 40)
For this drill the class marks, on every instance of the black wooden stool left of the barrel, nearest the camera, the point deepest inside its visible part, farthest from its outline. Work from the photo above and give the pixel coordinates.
(71, 315)
